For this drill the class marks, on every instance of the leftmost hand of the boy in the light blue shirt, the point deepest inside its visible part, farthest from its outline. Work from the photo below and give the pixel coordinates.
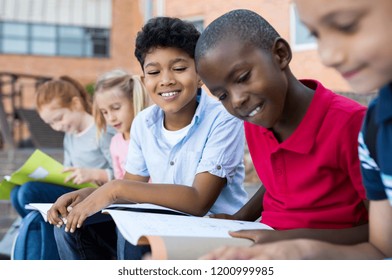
(60, 209)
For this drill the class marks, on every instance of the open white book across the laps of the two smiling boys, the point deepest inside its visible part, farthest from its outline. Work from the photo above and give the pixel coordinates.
(171, 234)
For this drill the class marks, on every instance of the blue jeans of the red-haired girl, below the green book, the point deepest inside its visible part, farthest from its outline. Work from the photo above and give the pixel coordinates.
(35, 192)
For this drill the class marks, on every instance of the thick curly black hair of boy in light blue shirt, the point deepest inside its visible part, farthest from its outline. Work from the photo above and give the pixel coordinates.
(162, 32)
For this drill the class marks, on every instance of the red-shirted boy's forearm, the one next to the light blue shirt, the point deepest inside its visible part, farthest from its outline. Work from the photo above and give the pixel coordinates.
(251, 211)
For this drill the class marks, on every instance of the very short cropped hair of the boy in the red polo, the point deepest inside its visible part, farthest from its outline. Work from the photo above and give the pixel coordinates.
(245, 25)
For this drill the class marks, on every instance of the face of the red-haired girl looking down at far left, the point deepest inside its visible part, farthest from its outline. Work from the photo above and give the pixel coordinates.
(63, 119)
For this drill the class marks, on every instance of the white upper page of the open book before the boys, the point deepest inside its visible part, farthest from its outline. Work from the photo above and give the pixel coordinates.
(134, 225)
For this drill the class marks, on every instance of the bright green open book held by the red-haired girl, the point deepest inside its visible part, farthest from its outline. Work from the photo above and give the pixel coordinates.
(38, 167)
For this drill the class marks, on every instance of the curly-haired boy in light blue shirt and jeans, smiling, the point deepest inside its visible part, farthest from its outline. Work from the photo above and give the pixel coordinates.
(186, 144)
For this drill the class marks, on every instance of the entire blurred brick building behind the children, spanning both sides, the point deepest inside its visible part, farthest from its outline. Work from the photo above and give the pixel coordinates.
(121, 19)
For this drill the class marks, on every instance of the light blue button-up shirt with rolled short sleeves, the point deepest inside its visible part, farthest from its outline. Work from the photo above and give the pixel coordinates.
(214, 144)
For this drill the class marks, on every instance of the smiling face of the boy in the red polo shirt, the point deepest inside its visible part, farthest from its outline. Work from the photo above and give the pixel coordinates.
(248, 81)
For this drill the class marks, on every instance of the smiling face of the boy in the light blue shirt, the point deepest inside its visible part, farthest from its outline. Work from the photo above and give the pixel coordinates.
(171, 80)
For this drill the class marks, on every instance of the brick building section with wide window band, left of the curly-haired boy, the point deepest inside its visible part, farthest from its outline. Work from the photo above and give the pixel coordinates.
(120, 19)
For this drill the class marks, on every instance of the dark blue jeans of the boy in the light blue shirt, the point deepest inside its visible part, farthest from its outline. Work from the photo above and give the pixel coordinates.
(96, 241)
